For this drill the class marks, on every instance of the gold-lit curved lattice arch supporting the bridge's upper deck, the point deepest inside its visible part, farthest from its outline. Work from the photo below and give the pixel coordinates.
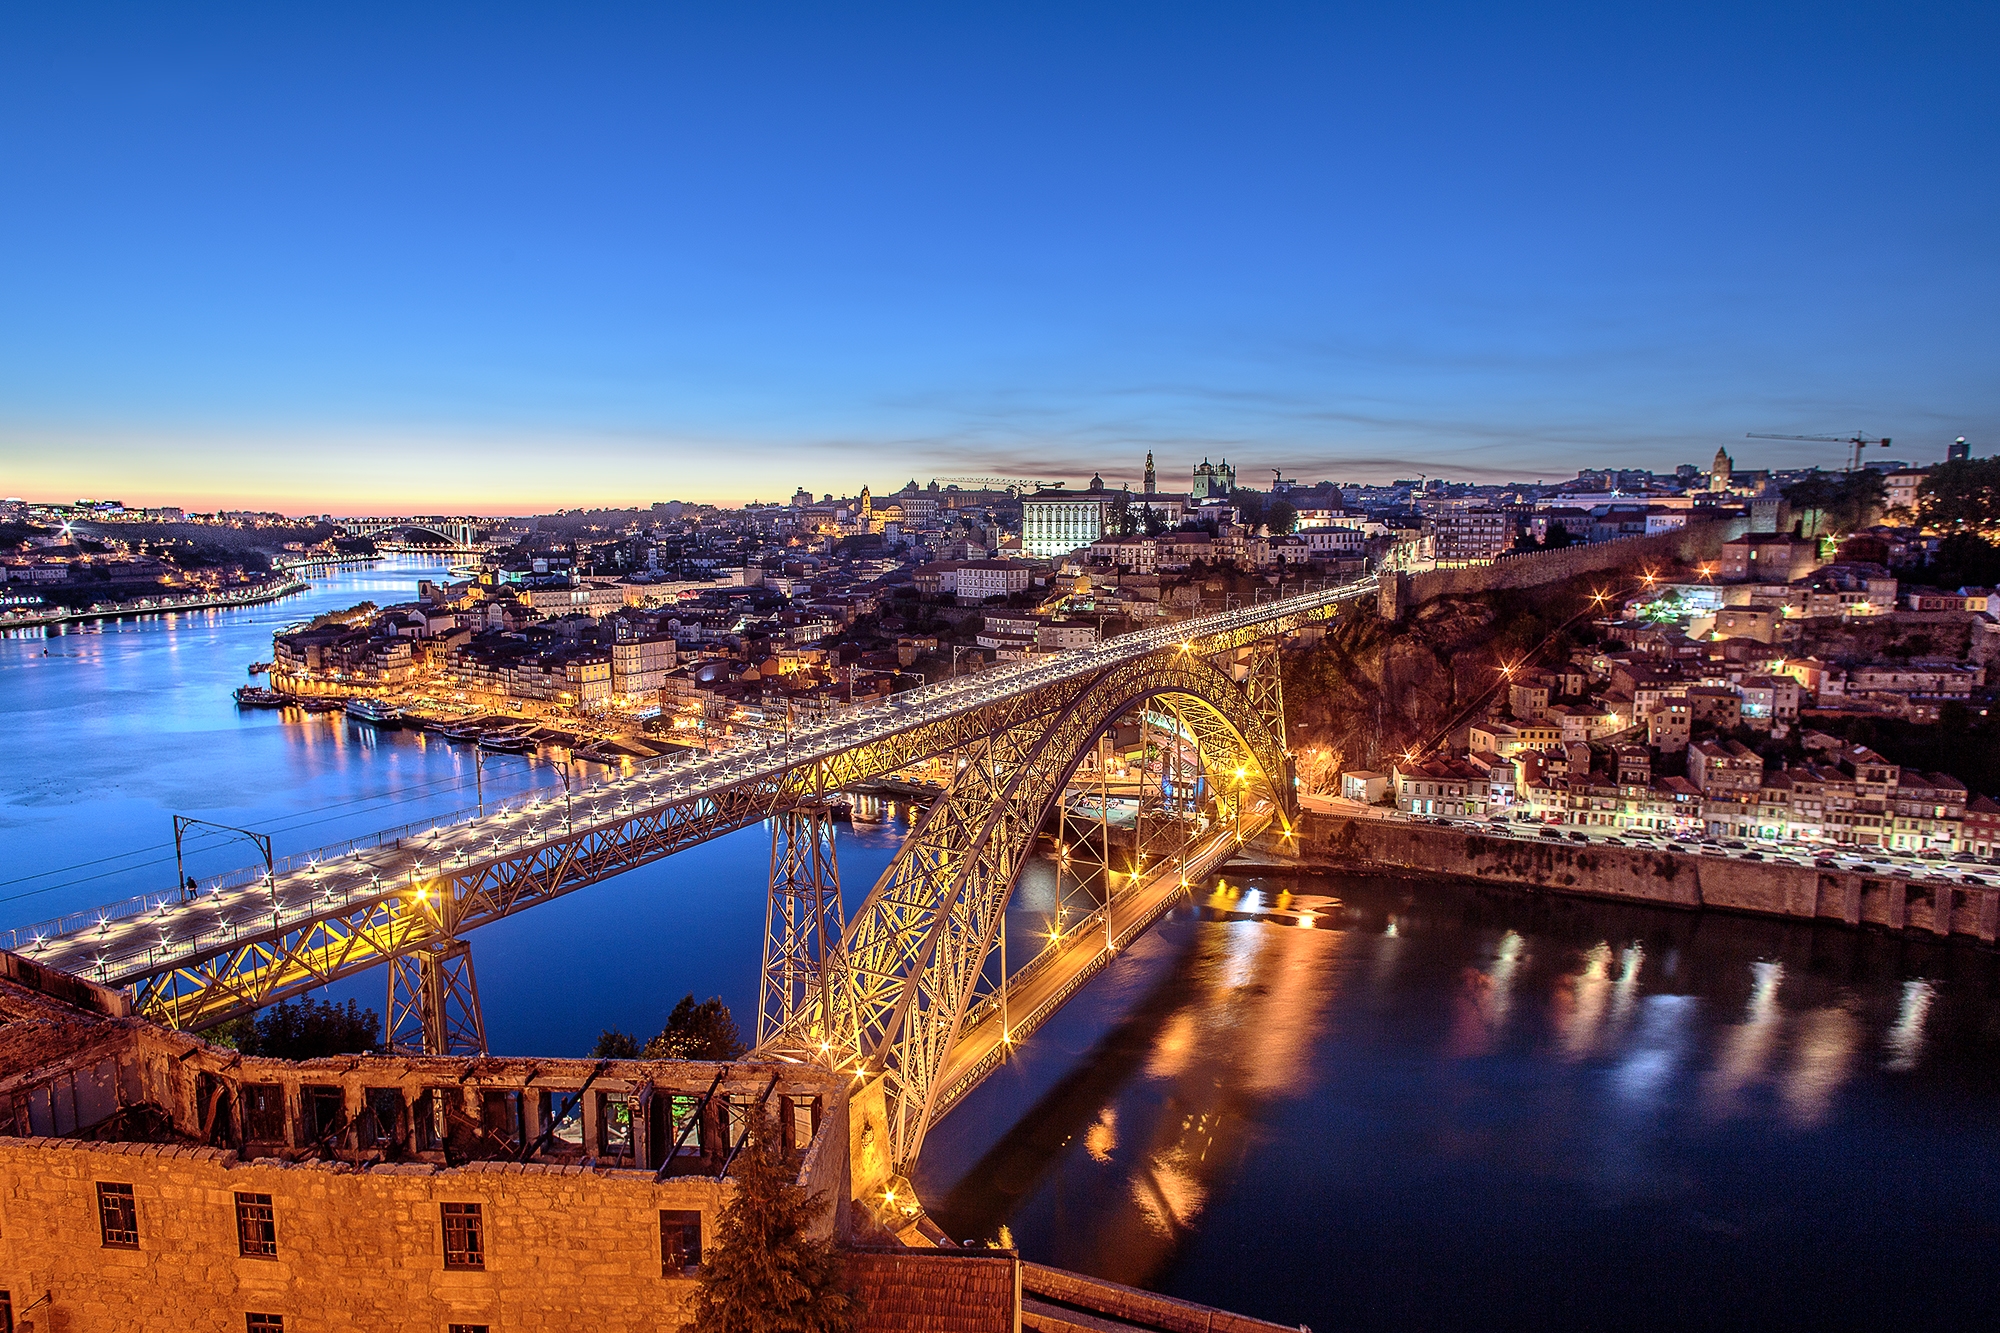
(919, 946)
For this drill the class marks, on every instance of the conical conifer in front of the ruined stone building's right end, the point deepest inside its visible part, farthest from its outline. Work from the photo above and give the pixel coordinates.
(767, 1274)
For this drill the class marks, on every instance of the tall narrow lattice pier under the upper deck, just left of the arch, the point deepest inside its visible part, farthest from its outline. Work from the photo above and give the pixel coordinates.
(803, 922)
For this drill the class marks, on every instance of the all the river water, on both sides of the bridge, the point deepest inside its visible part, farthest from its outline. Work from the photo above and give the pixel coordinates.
(1433, 1108)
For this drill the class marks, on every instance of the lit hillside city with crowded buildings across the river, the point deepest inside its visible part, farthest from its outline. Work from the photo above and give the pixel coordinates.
(1711, 704)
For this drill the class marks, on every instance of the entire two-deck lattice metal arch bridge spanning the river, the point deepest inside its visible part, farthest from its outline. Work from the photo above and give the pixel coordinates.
(913, 994)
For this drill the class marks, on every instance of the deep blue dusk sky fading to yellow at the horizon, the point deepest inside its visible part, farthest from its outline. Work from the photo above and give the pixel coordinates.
(509, 259)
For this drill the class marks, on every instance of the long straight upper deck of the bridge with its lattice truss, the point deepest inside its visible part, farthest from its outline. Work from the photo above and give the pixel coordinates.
(209, 960)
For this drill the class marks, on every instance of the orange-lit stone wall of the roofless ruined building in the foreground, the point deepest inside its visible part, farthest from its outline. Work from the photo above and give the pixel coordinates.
(357, 1248)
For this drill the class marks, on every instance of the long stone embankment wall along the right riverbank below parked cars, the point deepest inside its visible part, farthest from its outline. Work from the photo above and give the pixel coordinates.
(1659, 878)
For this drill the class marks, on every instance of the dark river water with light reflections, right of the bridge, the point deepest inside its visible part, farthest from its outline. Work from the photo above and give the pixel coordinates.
(1511, 1092)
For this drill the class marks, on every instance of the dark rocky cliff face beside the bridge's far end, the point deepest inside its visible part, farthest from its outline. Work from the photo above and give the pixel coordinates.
(1371, 690)
